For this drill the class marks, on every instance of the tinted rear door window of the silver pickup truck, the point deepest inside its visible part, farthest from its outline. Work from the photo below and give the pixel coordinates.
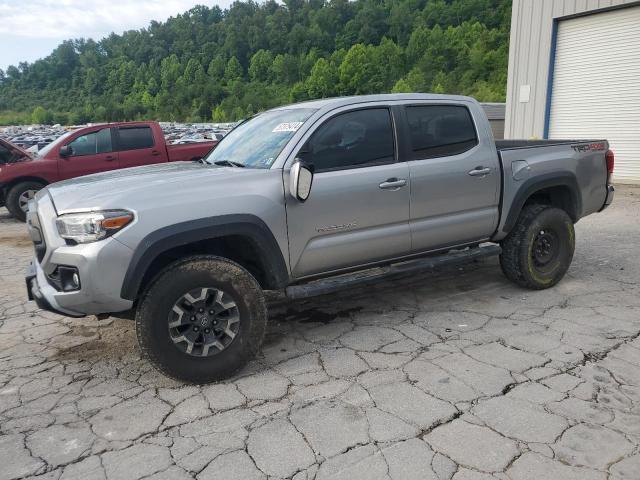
(440, 130)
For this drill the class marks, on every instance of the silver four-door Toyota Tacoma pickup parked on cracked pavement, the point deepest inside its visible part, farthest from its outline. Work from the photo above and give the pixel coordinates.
(306, 199)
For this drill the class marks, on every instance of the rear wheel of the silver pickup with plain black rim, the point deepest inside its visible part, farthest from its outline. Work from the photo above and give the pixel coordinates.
(518, 260)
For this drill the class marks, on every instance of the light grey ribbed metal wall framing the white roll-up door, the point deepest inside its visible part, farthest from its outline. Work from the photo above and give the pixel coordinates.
(530, 49)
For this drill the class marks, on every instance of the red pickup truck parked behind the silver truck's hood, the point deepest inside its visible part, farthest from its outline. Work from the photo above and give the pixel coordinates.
(93, 149)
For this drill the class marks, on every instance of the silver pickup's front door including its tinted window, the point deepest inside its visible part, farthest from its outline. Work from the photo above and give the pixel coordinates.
(358, 209)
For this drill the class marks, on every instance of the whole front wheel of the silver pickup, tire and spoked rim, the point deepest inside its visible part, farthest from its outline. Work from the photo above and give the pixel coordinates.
(201, 319)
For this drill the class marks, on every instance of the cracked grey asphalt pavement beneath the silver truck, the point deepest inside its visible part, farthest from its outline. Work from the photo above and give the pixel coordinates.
(450, 375)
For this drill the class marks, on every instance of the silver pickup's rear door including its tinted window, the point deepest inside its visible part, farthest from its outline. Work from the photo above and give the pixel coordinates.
(455, 176)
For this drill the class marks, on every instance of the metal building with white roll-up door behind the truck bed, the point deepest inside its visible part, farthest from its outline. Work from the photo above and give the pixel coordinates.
(574, 72)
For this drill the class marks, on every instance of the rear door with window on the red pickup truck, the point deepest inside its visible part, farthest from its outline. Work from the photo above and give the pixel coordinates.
(137, 146)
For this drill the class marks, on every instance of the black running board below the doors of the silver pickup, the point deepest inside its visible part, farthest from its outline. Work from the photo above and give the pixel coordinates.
(333, 284)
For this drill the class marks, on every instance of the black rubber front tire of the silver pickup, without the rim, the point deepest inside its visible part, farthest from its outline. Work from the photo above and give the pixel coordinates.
(174, 281)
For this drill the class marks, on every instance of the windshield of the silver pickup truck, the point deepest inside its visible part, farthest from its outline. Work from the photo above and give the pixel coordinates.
(257, 142)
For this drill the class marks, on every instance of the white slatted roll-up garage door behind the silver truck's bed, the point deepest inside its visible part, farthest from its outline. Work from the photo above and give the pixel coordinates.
(596, 84)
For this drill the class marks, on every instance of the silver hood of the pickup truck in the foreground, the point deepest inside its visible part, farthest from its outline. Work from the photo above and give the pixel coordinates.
(128, 187)
